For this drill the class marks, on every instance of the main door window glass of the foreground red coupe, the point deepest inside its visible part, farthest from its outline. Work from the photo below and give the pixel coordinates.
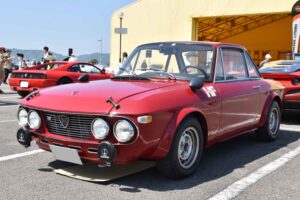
(234, 64)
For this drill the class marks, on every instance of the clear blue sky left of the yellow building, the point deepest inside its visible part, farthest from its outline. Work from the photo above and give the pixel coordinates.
(58, 24)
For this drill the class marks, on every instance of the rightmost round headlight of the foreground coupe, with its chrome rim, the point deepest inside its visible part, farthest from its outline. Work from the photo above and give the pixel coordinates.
(131, 131)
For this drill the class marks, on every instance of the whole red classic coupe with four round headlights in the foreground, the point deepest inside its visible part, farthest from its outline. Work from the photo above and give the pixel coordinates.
(167, 103)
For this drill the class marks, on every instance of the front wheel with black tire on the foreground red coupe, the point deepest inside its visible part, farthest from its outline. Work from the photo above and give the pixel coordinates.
(180, 165)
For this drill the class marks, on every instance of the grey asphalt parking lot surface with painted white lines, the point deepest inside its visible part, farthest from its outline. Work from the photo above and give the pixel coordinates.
(240, 168)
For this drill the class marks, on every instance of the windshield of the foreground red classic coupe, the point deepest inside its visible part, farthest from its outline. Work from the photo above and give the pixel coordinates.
(170, 60)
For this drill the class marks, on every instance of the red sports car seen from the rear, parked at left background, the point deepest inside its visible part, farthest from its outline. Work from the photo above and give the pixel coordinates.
(51, 74)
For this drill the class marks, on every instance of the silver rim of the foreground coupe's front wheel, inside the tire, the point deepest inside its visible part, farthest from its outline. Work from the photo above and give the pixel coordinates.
(188, 147)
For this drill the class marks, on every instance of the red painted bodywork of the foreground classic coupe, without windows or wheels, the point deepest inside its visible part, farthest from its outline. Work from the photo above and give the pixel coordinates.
(238, 106)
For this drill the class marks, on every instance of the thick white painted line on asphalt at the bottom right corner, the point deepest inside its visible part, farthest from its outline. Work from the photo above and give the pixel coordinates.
(237, 187)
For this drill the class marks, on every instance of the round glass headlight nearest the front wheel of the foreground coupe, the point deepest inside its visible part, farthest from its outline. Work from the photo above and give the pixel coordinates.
(123, 131)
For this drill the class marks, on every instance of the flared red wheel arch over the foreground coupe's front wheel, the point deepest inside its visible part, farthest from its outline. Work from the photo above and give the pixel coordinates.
(167, 138)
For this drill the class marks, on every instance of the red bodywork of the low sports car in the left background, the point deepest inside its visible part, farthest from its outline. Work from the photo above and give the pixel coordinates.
(50, 77)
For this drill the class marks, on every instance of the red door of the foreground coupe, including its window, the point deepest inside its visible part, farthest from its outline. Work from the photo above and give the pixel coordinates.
(239, 95)
